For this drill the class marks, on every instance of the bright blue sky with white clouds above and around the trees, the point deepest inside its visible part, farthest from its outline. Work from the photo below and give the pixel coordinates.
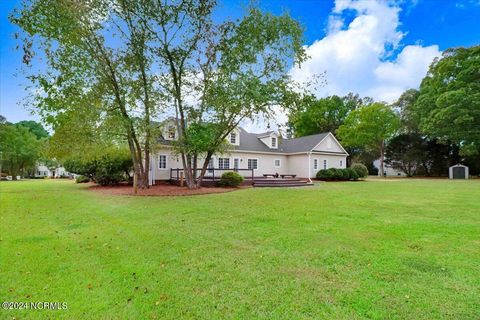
(375, 48)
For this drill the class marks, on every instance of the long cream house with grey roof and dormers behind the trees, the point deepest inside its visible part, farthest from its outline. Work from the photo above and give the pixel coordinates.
(266, 153)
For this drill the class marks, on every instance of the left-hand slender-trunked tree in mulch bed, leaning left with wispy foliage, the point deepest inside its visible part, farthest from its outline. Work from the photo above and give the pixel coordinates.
(97, 58)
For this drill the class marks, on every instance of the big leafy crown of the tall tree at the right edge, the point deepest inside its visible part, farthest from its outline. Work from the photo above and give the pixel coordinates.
(448, 104)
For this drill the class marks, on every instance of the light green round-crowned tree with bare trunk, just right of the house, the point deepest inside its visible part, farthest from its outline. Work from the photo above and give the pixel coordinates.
(369, 127)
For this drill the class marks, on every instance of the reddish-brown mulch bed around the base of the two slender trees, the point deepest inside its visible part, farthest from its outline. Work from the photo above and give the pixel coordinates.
(159, 190)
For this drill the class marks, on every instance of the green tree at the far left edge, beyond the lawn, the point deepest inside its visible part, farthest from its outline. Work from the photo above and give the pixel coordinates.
(19, 149)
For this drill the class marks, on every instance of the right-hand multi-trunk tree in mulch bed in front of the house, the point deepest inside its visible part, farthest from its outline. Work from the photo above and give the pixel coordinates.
(235, 70)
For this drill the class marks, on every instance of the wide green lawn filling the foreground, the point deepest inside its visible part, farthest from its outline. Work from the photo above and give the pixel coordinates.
(395, 249)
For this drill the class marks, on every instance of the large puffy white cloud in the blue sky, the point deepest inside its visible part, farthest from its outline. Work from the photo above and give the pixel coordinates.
(357, 57)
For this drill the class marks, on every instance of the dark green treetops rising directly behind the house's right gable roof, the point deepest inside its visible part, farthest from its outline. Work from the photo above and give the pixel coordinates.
(315, 115)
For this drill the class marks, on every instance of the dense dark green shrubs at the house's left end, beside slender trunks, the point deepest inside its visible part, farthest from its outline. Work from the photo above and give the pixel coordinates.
(109, 168)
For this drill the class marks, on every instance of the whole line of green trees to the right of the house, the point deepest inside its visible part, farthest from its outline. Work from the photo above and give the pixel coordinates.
(422, 133)
